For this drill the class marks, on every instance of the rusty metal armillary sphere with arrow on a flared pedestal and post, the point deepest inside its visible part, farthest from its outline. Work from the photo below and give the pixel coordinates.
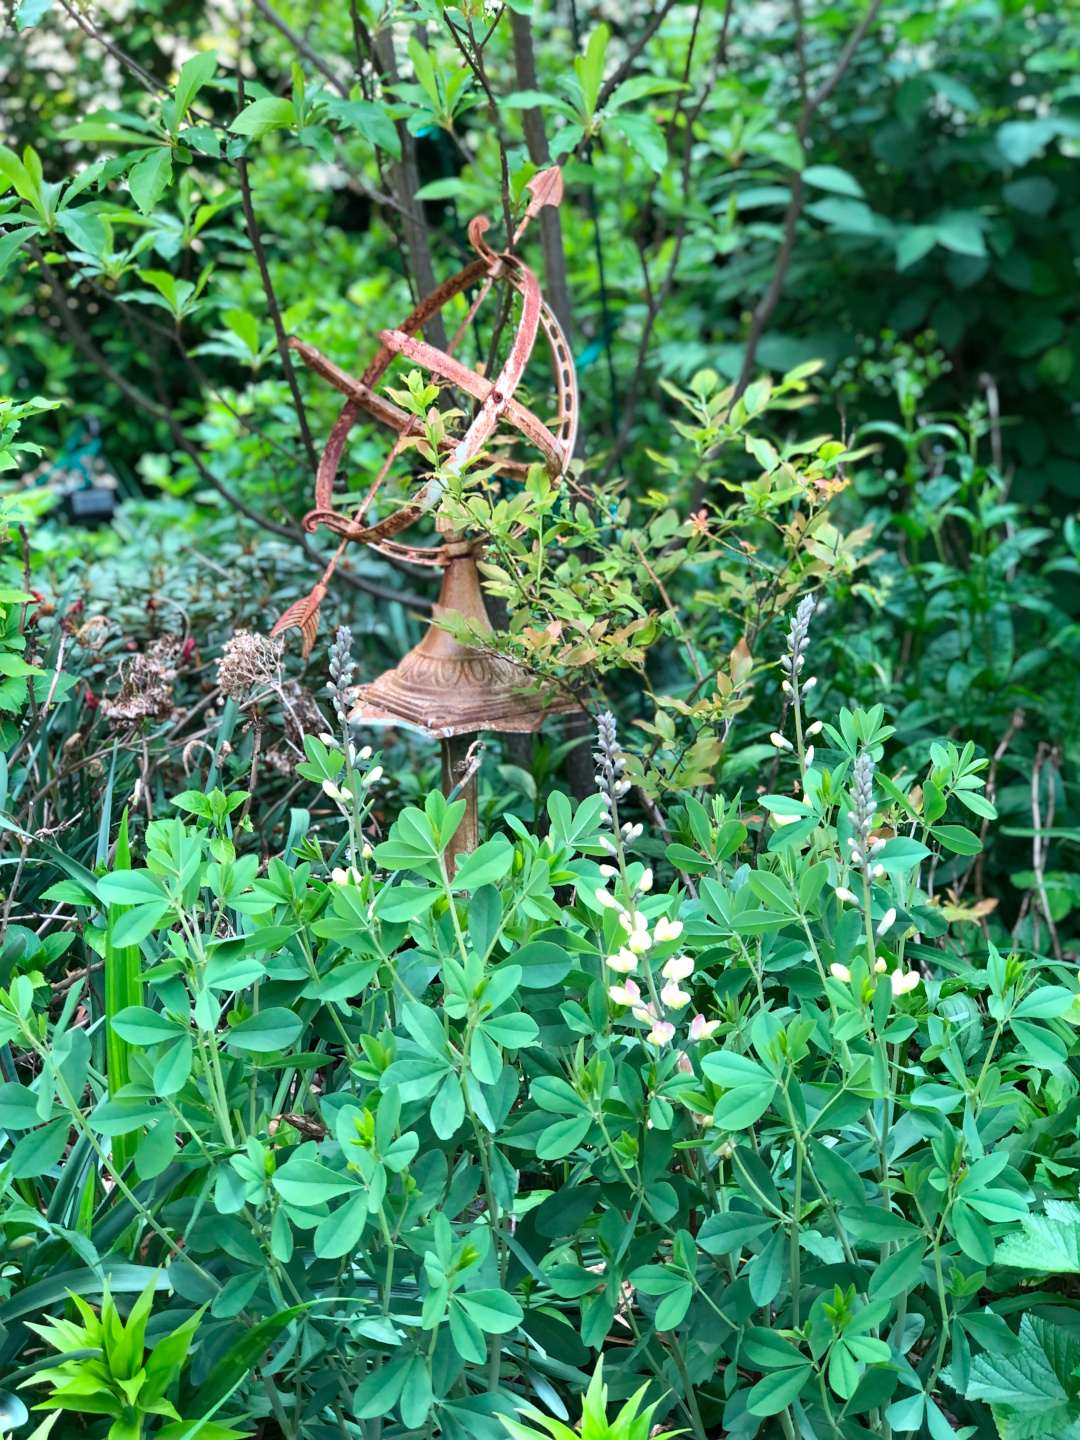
(444, 689)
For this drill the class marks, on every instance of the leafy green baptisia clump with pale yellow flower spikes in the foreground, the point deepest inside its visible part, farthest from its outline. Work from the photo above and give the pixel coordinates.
(748, 1115)
